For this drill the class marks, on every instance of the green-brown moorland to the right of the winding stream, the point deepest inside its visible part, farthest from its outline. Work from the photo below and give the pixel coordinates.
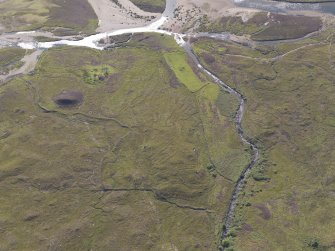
(288, 200)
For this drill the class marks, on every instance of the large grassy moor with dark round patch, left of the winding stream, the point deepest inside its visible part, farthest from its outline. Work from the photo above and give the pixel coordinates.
(132, 156)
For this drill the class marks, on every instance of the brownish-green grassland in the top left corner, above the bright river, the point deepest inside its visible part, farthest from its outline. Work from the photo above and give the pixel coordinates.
(62, 17)
